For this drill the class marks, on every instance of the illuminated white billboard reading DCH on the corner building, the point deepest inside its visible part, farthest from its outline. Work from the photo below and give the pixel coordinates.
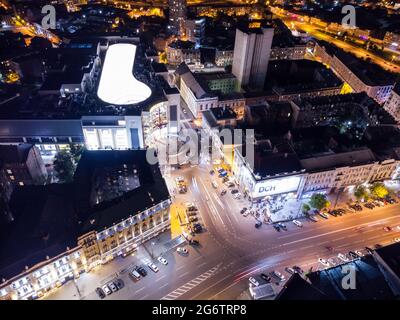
(276, 186)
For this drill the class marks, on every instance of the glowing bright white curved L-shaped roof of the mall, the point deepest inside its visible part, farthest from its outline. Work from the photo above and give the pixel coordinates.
(117, 83)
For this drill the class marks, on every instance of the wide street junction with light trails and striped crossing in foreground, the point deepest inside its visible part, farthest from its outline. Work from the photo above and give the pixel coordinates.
(232, 249)
